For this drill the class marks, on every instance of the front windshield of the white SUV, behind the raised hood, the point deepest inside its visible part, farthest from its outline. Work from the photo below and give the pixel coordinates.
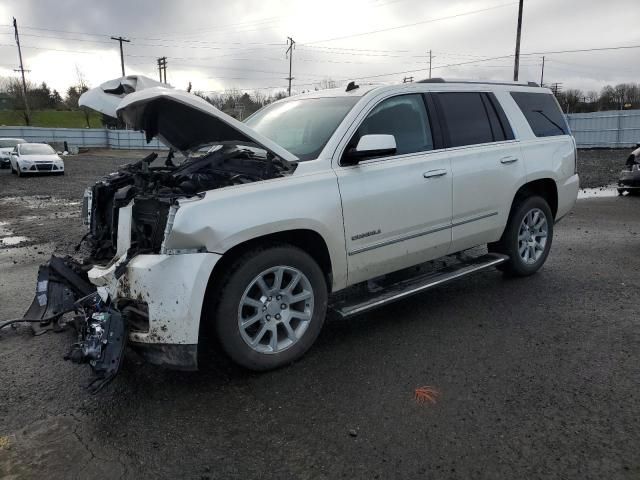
(303, 127)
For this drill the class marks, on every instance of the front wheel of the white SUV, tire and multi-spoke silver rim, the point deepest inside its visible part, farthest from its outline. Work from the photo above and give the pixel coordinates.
(241, 298)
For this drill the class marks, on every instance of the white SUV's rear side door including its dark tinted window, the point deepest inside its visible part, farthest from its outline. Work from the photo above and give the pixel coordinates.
(486, 165)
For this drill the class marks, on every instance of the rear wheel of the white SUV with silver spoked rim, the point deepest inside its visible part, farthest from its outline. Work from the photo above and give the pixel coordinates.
(526, 212)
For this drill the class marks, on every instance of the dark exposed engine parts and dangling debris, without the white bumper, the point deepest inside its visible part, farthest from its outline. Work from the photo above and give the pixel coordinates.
(153, 192)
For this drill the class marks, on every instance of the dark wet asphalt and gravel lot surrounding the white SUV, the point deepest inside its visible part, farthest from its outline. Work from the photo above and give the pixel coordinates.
(538, 377)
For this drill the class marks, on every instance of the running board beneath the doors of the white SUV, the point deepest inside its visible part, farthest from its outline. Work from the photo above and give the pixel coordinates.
(369, 300)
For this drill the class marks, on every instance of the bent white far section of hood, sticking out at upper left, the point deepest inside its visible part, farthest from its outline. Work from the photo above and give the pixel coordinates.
(106, 97)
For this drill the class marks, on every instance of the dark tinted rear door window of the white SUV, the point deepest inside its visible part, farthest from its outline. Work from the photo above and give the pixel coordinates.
(465, 117)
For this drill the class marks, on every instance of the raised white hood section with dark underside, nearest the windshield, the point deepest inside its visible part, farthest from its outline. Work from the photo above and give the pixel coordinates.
(187, 122)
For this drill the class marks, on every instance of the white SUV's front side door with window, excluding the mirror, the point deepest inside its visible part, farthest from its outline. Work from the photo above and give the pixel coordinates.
(397, 208)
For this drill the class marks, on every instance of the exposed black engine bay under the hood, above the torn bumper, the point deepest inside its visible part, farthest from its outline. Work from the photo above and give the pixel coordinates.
(155, 189)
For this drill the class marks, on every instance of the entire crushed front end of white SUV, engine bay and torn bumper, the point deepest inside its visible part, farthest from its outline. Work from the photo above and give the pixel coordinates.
(130, 289)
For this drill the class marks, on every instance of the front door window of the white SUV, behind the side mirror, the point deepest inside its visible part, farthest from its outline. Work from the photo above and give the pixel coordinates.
(404, 117)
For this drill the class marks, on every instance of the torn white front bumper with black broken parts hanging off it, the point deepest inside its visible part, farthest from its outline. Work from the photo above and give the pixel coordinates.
(146, 302)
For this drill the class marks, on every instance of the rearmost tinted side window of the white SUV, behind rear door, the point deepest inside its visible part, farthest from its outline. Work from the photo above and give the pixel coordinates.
(542, 112)
